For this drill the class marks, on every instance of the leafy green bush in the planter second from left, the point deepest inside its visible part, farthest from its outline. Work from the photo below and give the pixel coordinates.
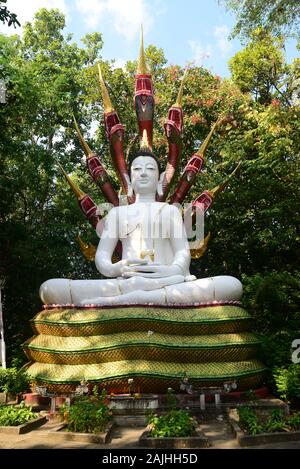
(87, 414)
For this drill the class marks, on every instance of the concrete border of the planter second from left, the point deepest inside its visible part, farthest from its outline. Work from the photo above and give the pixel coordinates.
(59, 434)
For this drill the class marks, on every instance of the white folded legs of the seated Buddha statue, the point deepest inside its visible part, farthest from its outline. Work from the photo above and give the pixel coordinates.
(139, 290)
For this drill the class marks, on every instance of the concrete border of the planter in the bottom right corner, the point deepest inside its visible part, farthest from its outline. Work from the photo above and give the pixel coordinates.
(262, 438)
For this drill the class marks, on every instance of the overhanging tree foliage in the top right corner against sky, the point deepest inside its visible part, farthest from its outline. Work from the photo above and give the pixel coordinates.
(276, 16)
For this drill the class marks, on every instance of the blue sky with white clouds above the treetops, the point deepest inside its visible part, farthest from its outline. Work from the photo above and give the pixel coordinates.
(187, 30)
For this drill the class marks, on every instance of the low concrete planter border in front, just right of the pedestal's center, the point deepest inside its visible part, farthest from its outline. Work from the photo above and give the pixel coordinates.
(198, 440)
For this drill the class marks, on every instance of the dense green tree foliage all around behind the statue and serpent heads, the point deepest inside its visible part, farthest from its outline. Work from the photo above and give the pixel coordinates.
(253, 223)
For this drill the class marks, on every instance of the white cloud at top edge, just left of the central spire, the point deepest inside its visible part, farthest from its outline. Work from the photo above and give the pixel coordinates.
(126, 16)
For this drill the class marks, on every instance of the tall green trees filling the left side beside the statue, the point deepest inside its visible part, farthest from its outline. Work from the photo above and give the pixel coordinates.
(43, 72)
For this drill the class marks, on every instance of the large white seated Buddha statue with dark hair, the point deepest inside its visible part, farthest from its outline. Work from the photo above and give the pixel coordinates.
(155, 255)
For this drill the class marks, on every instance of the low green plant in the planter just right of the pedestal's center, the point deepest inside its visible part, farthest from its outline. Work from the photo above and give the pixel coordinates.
(174, 423)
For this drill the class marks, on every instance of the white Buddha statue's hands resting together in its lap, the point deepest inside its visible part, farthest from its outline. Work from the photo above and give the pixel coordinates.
(151, 270)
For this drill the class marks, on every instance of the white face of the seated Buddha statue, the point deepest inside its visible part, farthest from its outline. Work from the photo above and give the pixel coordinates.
(144, 175)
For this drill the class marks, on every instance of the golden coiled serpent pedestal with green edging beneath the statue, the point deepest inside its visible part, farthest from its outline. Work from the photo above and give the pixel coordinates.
(155, 346)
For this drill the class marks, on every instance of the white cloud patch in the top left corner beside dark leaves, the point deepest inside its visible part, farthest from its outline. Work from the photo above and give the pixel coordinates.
(25, 11)
